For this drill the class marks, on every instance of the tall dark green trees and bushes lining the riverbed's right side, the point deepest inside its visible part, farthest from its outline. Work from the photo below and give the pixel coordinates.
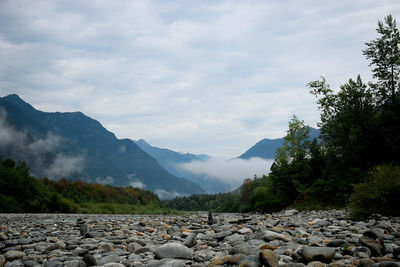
(355, 161)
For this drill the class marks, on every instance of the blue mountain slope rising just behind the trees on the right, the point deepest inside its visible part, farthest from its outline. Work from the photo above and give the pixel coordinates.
(266, 148)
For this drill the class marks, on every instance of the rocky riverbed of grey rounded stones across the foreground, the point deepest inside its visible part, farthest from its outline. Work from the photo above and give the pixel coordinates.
(288, 238)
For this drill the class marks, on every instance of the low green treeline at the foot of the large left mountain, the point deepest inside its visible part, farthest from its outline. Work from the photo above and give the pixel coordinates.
(20, 192)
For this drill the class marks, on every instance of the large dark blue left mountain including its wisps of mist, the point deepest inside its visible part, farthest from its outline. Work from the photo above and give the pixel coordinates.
(72, 145)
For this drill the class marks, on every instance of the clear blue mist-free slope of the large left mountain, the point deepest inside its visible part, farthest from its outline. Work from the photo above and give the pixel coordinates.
(105, 155)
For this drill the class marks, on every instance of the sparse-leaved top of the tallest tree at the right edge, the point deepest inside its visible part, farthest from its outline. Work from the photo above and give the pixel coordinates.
(384, 53)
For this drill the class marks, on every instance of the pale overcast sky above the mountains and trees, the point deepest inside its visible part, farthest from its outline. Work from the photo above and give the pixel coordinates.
(206, 76)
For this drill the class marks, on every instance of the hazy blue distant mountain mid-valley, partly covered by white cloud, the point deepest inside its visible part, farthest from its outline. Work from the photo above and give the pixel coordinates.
(171, 160)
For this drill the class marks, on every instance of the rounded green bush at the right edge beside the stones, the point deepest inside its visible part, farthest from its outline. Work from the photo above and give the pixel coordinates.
(379, 194)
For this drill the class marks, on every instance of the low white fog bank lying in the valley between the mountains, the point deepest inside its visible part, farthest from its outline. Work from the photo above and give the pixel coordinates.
(229, 171)
